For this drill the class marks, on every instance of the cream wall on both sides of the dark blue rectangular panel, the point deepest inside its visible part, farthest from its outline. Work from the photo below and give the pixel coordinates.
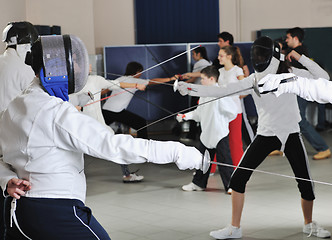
(111, 22)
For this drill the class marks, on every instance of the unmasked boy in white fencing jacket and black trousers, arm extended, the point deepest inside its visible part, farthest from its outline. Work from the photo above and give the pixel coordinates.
(214, 118)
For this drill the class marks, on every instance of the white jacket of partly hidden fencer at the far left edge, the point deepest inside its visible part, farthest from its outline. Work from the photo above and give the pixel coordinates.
(15, 76)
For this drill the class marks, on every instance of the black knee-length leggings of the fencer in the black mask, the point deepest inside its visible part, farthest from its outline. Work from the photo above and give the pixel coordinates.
(260, 148)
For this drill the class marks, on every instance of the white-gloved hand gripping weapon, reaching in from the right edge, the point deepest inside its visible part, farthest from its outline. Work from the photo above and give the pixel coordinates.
(271, 83)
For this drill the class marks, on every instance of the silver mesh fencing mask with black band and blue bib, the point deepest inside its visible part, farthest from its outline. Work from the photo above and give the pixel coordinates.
(65, 65)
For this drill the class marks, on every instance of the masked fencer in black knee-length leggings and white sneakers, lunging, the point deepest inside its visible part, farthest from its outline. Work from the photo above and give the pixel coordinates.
(278, 129)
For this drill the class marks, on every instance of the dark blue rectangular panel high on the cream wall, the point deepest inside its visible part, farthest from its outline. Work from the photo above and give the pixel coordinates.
(176, 21)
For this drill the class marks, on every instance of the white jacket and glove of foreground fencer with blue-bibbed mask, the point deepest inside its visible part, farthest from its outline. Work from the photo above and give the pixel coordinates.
(43, 139)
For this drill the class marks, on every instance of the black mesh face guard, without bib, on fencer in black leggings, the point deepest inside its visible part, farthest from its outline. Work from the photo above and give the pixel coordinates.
(262, 51)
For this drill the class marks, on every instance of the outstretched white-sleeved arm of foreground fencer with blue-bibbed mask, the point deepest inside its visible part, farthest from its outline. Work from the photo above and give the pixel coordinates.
(77, 132)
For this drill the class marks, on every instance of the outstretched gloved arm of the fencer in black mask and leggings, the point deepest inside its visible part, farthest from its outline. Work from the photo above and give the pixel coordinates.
(244, 87)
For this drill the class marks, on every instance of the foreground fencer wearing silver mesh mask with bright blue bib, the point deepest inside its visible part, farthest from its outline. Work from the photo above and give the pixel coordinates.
(43, 139)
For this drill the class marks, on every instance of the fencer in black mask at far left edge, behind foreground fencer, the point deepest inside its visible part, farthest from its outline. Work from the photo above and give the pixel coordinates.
(15, 75)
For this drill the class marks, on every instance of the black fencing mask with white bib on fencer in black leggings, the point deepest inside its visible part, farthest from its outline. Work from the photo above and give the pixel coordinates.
(265, 56)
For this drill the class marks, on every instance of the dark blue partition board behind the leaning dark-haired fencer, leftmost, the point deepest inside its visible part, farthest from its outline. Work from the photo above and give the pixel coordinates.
(116, 59)
